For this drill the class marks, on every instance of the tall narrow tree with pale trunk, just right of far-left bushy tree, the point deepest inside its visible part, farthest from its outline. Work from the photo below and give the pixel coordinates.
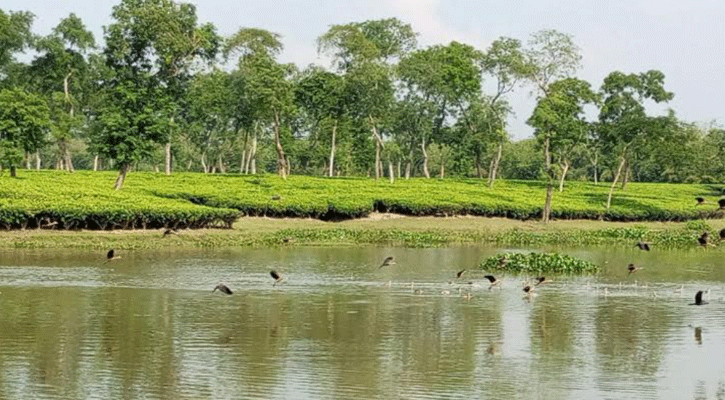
(61, 73)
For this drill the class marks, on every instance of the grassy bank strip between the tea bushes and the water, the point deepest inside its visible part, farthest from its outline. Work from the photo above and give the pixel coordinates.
(377, 229)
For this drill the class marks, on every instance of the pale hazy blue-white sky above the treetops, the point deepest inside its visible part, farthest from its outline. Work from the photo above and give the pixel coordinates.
(683, 39)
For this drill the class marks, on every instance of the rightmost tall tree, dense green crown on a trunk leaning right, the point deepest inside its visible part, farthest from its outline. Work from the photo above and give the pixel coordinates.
(624, 123)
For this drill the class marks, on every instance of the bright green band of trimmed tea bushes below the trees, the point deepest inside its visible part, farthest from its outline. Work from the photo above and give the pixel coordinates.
(191, 200)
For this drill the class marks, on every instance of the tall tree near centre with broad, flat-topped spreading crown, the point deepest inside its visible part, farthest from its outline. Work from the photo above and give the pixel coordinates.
(365, 52)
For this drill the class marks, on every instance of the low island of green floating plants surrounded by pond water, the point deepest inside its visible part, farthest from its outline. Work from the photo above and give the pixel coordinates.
(538, 263)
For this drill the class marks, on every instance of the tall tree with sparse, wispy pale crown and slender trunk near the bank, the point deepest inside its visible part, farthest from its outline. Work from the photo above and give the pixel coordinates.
(552, 55)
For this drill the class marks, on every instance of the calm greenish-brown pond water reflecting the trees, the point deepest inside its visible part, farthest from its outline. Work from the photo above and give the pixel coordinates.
(149, 326)
